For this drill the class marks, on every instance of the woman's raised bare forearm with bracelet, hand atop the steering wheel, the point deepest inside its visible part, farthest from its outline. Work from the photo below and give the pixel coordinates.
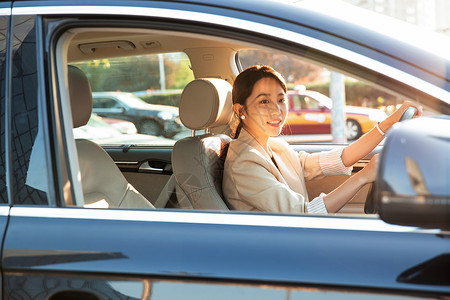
(365, 144)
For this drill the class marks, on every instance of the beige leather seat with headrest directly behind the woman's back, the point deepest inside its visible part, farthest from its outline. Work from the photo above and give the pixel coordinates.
(197, 161)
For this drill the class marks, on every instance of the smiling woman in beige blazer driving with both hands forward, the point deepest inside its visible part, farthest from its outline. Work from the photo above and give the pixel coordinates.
(264, 174)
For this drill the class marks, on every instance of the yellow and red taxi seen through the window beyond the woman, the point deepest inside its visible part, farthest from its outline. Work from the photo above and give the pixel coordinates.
(310, 113)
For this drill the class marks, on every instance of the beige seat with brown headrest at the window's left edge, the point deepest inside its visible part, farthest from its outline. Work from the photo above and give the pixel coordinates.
(102, 182)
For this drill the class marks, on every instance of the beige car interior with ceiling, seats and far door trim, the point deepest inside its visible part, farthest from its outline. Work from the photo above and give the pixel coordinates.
(186, 175)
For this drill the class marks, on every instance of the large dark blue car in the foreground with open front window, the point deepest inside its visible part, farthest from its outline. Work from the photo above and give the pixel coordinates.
(86, 220)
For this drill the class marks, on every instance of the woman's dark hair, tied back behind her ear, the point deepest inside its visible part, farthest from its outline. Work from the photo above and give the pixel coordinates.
(245, 81)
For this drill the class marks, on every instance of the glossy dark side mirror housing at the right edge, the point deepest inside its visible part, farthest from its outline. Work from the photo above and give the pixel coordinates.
(413, 182)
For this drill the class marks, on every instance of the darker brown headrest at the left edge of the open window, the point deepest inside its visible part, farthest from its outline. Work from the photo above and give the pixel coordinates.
(80, 96)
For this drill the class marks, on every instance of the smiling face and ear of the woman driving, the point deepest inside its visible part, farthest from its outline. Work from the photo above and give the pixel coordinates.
(266, 109)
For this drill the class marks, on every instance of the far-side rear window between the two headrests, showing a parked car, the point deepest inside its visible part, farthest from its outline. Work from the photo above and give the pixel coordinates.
(136, 98)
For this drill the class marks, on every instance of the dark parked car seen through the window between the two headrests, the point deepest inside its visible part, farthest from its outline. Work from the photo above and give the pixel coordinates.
(150, 119)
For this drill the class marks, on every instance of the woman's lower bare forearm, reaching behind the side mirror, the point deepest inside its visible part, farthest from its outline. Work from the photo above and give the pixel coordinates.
(336, 199)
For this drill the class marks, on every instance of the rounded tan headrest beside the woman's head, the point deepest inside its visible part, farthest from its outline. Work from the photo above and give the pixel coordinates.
(206, 103)
